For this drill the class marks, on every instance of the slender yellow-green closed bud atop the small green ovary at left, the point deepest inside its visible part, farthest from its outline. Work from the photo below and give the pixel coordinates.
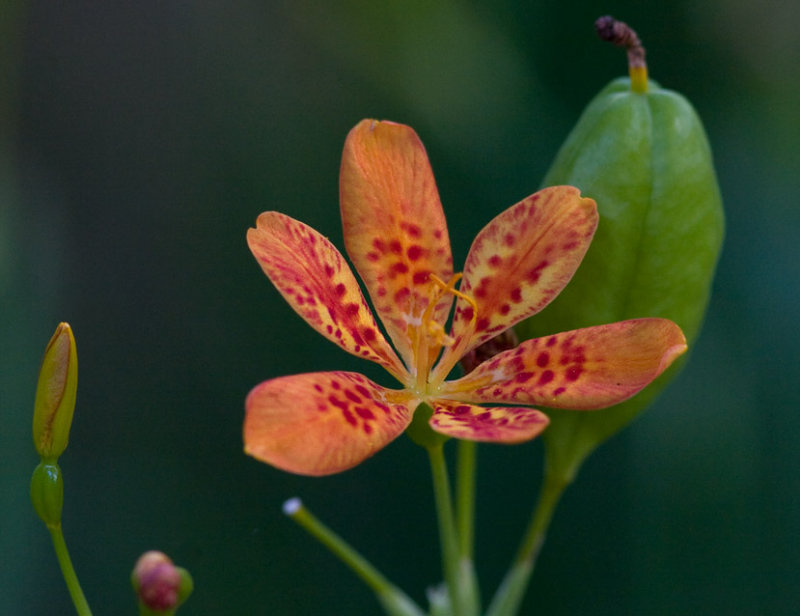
(55, 394)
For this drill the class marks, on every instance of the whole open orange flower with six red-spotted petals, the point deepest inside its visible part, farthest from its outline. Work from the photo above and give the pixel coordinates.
(395, 234)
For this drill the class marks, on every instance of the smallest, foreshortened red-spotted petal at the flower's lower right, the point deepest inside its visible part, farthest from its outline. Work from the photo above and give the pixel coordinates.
(494, 425)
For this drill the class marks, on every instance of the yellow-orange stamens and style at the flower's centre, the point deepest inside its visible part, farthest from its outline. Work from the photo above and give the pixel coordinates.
(431, 337)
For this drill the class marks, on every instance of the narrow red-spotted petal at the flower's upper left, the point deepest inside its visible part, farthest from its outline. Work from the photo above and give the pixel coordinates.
(314, 278)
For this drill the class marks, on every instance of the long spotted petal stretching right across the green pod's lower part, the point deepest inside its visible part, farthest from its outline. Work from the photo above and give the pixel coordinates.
(587, 368)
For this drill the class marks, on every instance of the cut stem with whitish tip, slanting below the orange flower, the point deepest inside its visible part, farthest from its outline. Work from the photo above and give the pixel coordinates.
(394, 601)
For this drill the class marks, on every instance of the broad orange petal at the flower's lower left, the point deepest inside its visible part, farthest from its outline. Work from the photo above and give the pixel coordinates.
(323, 422)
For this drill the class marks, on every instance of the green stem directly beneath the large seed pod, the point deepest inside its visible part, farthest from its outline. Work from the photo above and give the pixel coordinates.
(508, 598)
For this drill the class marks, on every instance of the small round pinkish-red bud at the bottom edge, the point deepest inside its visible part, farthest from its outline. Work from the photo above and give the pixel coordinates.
(159, 584)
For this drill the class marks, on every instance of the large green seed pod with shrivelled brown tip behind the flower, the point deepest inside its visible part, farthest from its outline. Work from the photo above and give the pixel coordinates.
(641, 152)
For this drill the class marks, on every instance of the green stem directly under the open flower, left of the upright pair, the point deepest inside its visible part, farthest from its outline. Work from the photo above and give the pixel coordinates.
(458, 572)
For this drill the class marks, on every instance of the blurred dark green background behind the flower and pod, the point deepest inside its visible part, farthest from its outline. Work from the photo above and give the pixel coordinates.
(139, 142)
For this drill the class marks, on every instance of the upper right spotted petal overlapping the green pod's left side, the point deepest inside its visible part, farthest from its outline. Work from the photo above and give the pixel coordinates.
(522, 259)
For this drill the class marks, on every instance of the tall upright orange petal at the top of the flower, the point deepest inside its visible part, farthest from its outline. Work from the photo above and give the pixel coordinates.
(394, 227)
